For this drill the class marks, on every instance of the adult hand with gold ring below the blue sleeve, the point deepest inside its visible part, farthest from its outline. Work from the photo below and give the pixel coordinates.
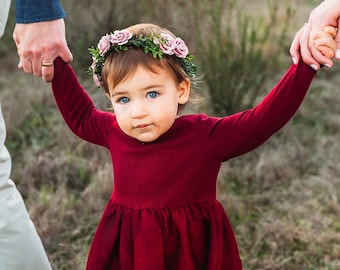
(39, 44)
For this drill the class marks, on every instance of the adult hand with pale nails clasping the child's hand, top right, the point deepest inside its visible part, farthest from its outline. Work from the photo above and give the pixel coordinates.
(327, 13)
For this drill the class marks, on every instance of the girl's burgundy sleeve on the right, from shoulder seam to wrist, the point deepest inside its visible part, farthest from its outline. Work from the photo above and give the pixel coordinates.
(242, 132)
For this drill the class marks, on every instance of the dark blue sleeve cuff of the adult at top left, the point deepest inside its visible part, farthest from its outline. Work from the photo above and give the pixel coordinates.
(29, 11)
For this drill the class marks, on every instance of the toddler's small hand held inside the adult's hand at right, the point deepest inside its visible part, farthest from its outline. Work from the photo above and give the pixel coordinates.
(325, 41)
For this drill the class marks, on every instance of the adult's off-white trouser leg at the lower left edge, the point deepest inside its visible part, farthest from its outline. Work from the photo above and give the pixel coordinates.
(20, 245)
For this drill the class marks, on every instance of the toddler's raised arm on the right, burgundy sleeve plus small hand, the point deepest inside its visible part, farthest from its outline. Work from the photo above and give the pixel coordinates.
(247, 130)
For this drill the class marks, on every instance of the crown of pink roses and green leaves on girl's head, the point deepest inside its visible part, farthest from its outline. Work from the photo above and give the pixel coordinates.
(157, 44)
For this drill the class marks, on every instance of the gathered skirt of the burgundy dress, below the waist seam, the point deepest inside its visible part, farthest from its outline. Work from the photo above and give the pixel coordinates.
(193, 237)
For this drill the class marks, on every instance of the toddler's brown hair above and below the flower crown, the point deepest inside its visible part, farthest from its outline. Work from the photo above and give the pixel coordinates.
(119, 66)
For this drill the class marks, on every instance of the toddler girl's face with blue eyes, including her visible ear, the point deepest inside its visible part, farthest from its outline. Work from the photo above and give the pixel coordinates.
(146, 103)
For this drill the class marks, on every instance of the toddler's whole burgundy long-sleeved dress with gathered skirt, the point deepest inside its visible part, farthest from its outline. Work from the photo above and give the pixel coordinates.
(163, 213)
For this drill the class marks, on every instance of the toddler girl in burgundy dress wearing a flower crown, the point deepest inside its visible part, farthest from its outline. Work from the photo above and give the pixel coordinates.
(163, 213)
